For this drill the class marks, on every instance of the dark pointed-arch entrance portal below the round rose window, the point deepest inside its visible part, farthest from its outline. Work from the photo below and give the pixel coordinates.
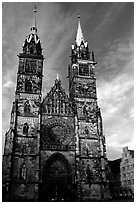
(57, 180)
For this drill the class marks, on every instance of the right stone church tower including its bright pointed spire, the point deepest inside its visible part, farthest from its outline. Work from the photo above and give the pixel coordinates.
(90, 142)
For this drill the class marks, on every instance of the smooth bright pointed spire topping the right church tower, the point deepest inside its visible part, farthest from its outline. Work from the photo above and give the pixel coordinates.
(79, 36)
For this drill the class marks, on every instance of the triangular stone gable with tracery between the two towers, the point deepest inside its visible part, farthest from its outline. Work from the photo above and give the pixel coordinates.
(57, 101)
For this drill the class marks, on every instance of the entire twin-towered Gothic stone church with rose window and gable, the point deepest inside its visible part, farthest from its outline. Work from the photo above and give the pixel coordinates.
(55, 148)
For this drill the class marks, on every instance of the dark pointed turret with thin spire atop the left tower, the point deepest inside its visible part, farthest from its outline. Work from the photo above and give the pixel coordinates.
(32, 44)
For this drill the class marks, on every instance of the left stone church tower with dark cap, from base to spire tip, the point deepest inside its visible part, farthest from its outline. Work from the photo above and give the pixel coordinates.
(21, 153)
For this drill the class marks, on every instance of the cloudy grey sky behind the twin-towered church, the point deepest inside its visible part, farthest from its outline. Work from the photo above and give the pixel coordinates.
(108, 28)
